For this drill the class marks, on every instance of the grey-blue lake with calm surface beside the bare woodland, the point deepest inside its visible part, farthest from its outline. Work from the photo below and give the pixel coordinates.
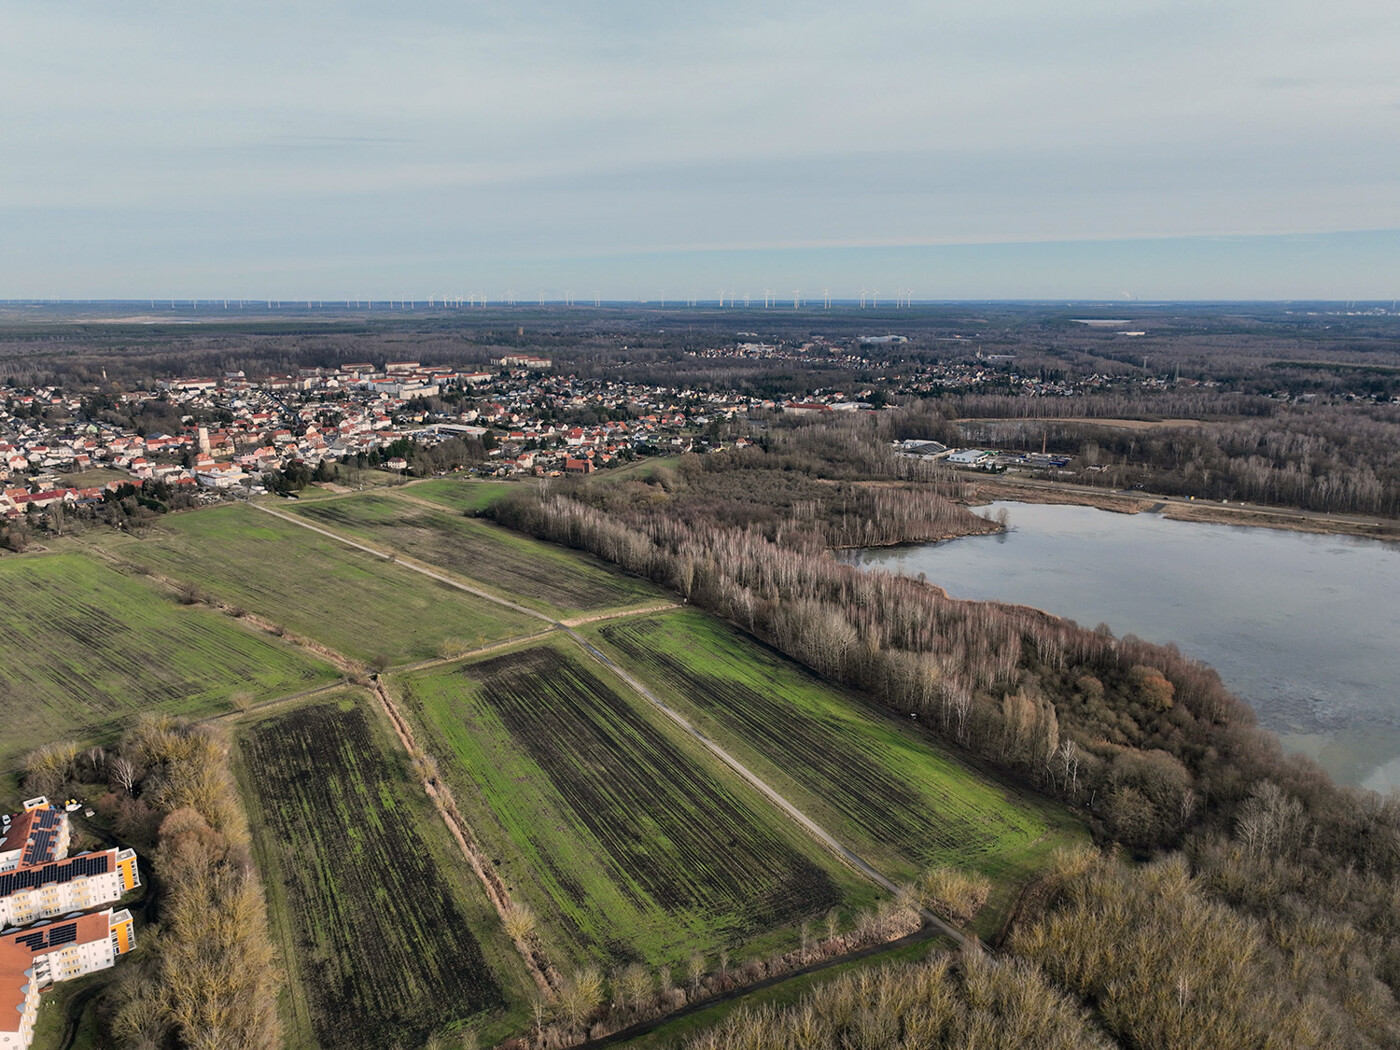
(1304, 628)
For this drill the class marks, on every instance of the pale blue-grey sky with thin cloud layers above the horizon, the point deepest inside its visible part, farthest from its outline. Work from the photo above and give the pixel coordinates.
(632, 149)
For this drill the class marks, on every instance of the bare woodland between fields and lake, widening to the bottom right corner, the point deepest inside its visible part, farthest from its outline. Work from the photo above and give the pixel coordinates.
(1272, 918)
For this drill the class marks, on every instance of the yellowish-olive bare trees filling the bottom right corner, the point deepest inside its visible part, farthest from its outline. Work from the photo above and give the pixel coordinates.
(1142, 958)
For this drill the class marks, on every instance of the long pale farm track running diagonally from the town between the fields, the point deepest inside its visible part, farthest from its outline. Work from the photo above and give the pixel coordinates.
(766, 790)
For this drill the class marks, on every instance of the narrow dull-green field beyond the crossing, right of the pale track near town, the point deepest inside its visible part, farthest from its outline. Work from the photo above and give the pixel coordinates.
(558, 582)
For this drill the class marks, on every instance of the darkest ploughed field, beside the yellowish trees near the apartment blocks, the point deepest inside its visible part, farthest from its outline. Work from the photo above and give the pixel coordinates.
(386, 932)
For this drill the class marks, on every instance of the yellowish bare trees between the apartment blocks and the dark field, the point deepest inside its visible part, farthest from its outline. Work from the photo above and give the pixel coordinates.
(206, 976)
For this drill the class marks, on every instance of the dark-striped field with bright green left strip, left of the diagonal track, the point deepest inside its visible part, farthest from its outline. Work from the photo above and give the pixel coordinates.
(626, 839)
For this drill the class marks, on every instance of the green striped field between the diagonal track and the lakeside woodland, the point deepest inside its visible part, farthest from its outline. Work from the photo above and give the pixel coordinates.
(881, 787)
